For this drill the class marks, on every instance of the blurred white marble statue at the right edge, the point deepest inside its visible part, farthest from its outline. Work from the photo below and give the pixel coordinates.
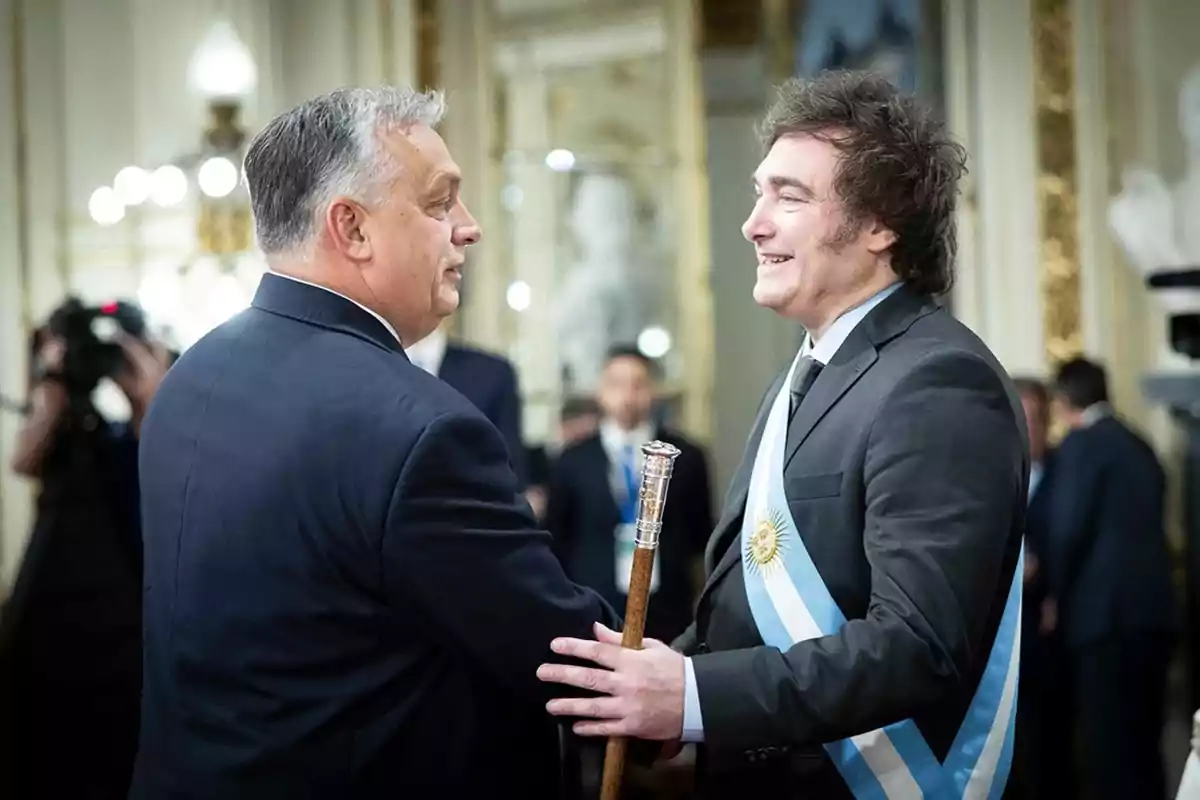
(1159, 225)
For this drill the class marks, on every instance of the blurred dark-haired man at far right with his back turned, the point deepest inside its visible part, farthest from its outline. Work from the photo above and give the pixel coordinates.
(1111, 579)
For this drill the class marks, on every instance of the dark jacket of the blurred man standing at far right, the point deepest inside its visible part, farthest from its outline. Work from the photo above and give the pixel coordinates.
(1107, 549)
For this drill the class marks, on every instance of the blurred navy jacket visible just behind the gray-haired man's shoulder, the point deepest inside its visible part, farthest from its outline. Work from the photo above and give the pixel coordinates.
(491, 384)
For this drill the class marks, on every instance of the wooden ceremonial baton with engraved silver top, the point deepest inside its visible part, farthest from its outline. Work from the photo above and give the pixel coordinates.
(657, 468)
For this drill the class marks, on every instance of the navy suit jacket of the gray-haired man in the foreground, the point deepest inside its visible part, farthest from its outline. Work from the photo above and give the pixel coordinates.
(345, 596)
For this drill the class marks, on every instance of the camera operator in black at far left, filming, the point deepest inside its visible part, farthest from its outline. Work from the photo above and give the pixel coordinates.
(73, 629)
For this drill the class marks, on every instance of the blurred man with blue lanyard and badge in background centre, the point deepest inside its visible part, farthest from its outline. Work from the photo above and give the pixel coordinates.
(592, 503)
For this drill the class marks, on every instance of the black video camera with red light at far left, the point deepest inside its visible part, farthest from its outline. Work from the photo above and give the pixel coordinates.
(89, 338)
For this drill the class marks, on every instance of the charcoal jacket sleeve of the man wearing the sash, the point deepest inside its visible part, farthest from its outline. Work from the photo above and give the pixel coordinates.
(944, 471)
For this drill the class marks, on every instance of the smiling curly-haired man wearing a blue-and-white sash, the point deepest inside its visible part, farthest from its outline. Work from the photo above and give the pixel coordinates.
(859, 633)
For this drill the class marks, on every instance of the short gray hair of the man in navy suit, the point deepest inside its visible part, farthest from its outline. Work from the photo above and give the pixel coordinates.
(328, 148)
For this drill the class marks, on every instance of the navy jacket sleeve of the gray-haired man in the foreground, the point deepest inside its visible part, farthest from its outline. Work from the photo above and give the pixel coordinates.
(463, 549)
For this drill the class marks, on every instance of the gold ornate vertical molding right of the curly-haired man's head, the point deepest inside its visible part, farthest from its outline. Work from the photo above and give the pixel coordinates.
(1054, 73)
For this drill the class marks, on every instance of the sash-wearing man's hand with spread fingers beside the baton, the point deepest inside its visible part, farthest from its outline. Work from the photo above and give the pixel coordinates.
(645, 688)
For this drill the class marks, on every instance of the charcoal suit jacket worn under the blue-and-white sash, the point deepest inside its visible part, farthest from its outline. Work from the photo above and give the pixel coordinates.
(907, 470)
